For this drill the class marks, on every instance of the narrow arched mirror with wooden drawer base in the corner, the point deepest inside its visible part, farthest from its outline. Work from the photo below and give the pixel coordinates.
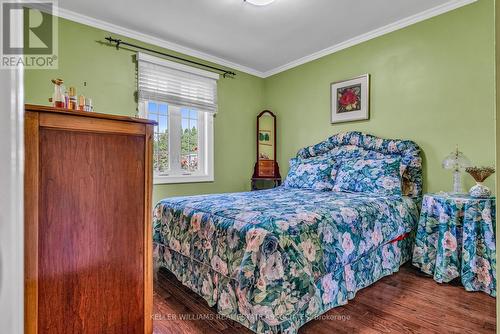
(266, 168)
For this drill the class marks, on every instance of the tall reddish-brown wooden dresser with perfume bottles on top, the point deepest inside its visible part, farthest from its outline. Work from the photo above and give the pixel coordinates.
(87, 206)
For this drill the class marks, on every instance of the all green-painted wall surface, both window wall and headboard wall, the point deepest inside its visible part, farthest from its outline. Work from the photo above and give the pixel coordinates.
(432, 82)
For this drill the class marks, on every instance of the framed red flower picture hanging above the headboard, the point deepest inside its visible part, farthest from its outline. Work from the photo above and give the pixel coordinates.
(351, 99)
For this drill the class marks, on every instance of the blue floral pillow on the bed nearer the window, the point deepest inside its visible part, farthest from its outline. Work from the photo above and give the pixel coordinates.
(315, 173)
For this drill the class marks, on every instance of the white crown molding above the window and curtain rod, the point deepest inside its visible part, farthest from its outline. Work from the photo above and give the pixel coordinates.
(113, 28)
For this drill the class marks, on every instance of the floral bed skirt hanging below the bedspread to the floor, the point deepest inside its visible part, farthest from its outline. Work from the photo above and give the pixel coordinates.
(332, 290)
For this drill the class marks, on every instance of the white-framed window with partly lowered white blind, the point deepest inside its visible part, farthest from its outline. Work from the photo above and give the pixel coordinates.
(182, 100)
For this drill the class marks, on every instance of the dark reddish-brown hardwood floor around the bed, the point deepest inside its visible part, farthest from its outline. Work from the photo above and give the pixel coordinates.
(406, 302)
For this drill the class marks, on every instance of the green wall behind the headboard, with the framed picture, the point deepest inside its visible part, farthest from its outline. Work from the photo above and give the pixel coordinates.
(432, 82)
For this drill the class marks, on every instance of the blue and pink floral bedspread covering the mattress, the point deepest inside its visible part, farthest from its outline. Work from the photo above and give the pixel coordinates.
(277, 244)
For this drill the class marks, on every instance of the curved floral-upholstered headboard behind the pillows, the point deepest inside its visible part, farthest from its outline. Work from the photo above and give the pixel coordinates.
(357, 145)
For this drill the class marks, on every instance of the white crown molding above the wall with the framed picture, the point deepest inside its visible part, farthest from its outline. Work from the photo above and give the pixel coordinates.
(403, 23)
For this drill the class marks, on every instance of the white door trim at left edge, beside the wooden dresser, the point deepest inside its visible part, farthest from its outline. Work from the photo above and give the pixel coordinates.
(11, 200)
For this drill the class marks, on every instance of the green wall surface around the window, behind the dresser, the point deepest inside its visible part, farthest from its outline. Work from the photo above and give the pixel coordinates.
(111, 83)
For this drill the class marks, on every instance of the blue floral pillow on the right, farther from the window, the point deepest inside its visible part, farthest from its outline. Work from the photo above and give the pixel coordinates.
(379, 176)
